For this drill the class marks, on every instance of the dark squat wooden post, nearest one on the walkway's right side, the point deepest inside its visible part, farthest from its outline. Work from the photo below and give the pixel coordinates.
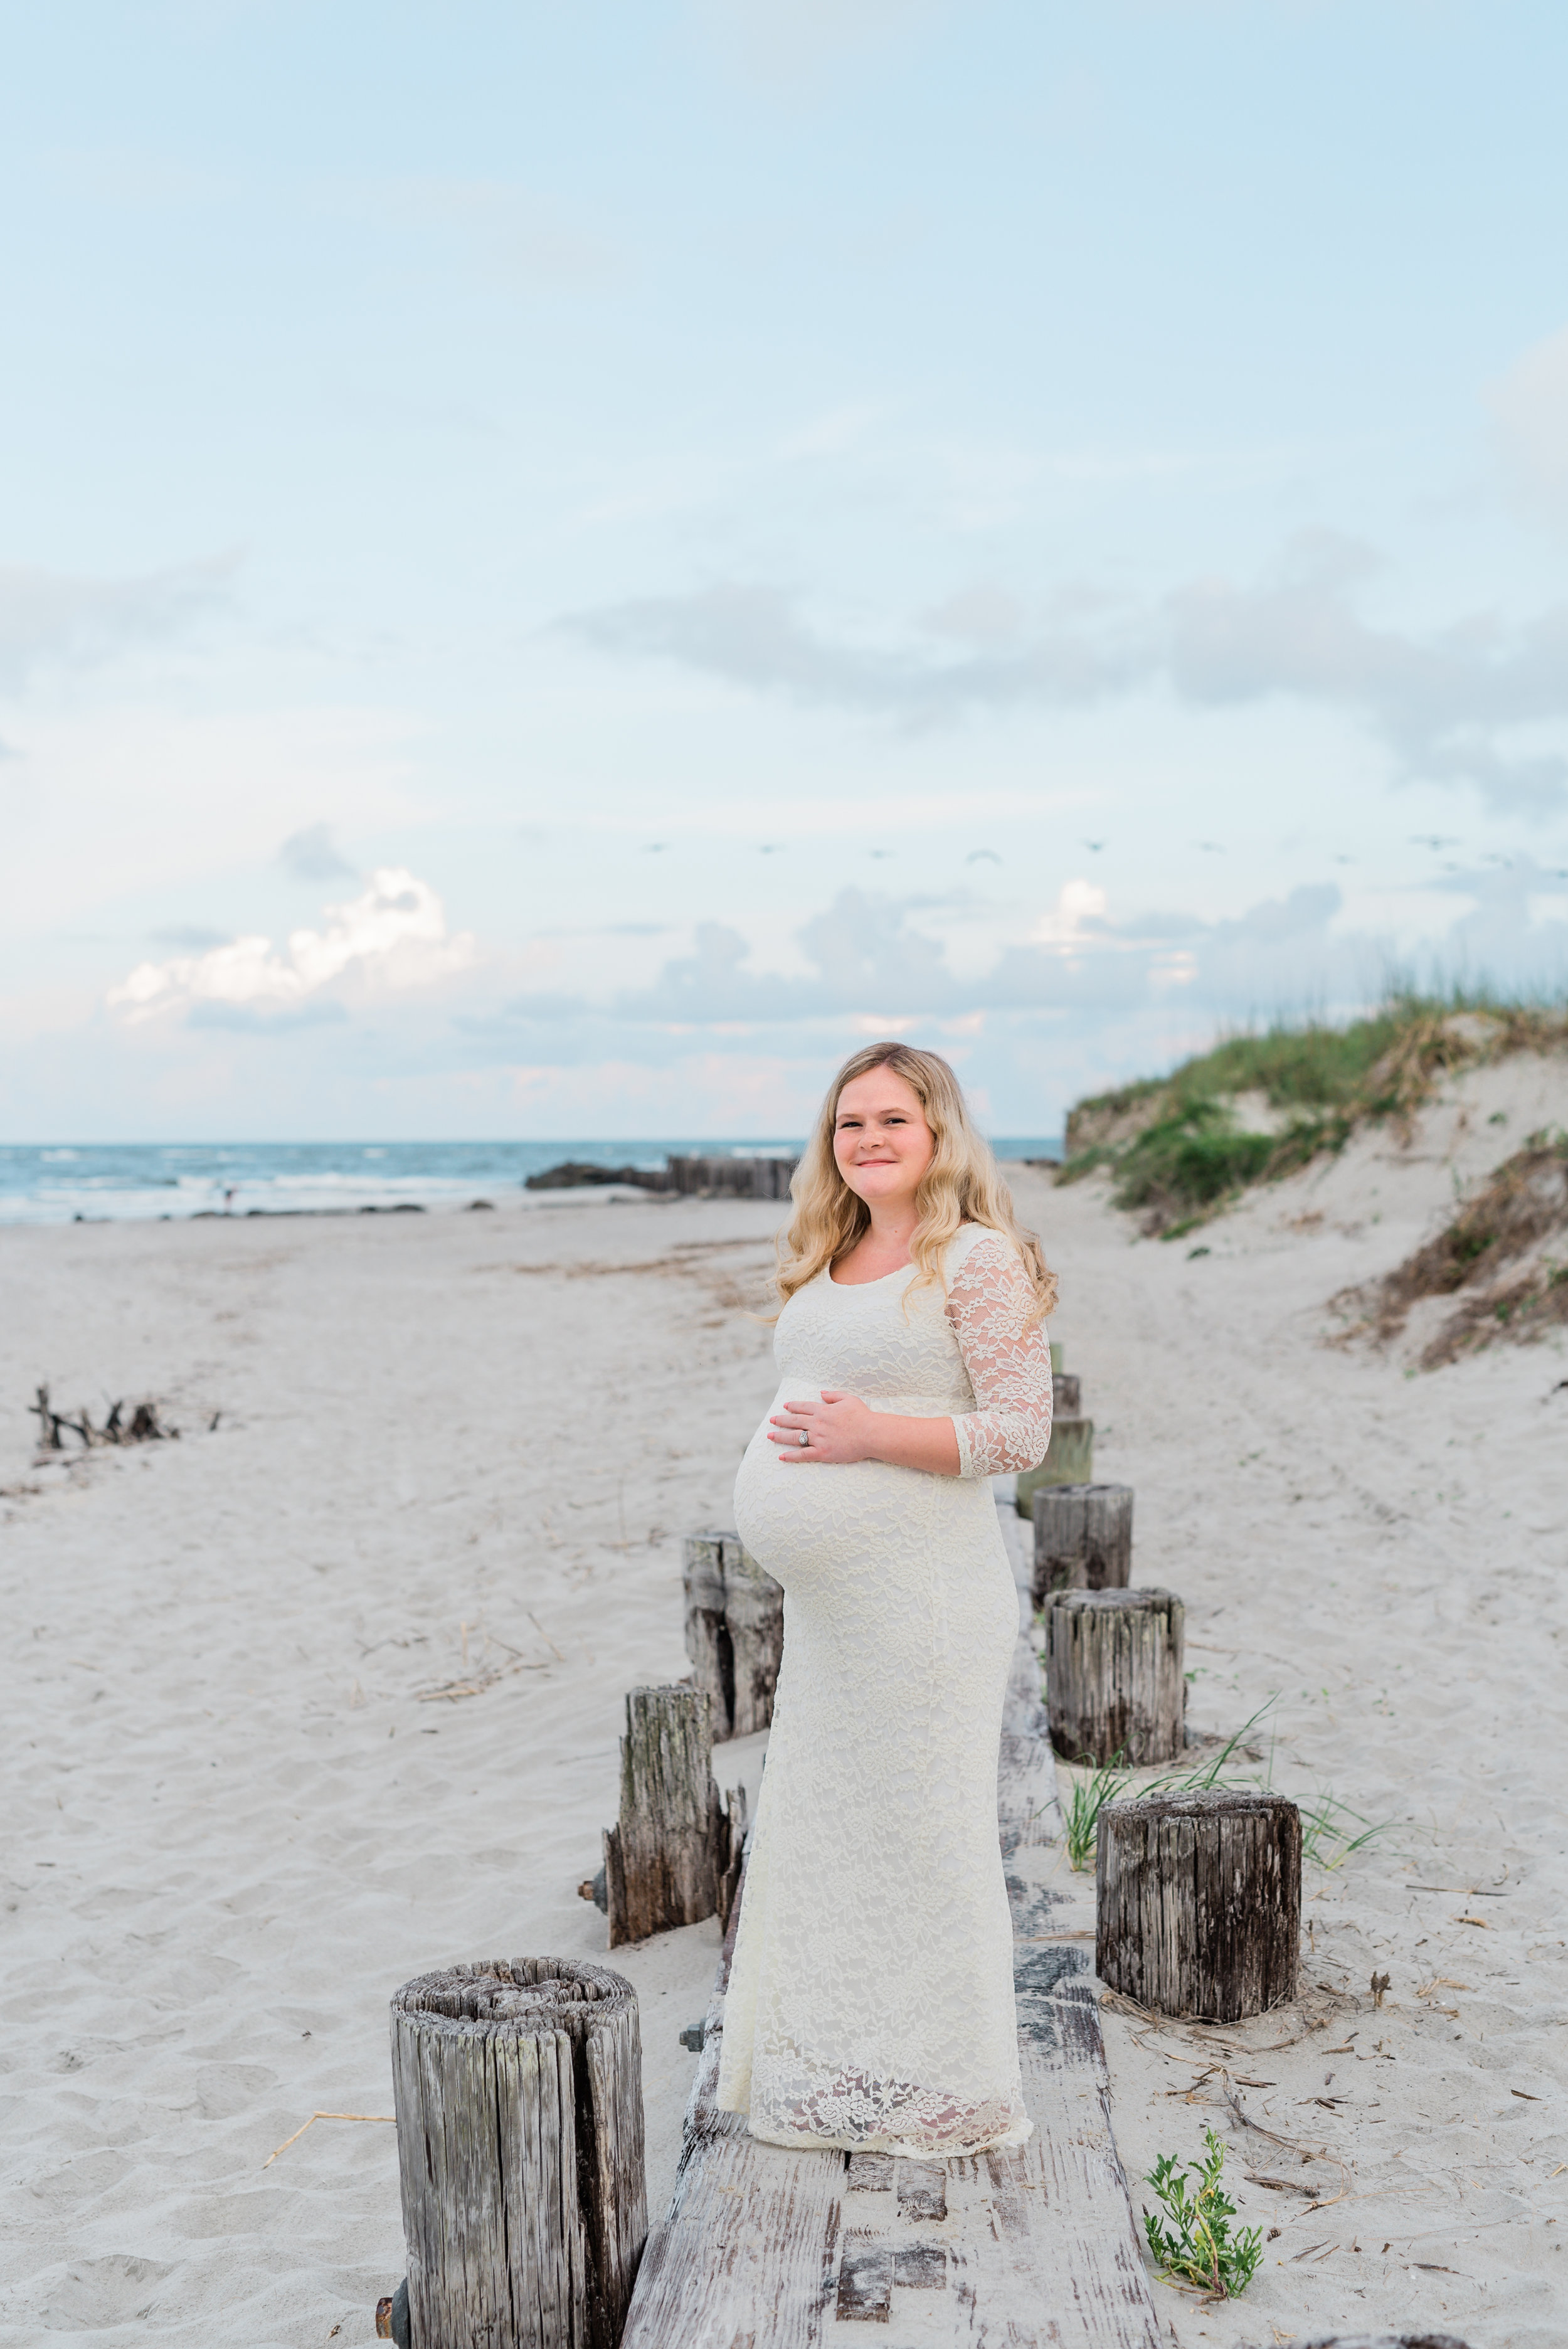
(1198, 1904)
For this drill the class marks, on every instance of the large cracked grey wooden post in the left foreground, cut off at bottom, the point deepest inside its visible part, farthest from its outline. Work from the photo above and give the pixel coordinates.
(520, 2148)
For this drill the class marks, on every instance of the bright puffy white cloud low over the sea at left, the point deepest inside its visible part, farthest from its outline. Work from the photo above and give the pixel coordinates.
(386, 943)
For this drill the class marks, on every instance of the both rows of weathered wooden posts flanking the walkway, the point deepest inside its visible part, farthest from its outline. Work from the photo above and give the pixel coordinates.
(518, 2082)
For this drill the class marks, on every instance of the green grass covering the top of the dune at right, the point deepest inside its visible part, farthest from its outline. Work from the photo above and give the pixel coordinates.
(1180, 1152)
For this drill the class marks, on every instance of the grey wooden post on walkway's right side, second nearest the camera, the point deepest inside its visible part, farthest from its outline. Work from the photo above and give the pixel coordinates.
(1114, 1681)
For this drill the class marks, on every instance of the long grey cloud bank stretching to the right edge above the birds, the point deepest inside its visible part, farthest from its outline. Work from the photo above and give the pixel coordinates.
(1464, 704)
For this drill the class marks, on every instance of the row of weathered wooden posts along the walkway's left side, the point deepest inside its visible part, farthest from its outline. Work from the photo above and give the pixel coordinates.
(520, 2082)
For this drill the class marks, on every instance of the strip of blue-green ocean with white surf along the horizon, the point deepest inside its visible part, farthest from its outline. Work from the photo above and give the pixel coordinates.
(147, 1180)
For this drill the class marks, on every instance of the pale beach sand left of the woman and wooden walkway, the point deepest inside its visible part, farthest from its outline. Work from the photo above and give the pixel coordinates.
(231, 1826)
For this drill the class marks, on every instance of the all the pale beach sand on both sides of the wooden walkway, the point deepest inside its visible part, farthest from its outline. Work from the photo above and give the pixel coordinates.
(231, 1826)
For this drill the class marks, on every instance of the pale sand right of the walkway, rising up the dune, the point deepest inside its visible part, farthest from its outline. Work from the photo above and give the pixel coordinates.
(1384, 1556)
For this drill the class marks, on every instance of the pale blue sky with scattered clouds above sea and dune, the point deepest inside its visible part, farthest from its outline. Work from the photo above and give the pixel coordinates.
(565, 567)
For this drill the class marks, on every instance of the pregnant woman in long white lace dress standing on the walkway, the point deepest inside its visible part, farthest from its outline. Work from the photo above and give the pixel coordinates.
(872, 1988)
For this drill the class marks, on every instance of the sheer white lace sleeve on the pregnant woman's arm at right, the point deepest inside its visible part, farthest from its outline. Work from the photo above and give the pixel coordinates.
(1008, 1361)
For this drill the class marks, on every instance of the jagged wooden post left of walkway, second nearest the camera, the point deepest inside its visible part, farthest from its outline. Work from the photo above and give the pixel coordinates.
(675, 1857)
